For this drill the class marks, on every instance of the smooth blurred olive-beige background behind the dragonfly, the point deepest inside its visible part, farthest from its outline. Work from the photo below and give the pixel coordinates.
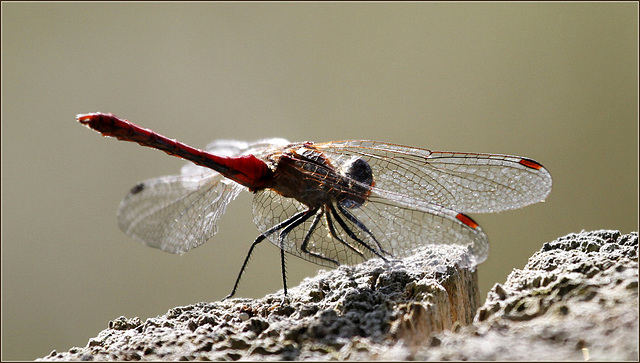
(556, 82)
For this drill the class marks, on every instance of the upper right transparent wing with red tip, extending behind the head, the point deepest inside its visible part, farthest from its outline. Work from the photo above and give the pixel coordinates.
(466, 182)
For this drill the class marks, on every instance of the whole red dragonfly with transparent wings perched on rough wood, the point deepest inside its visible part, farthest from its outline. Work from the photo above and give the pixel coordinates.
(340, 202)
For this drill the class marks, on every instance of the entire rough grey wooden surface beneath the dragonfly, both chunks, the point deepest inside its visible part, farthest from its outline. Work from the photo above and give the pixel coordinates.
(576, 298)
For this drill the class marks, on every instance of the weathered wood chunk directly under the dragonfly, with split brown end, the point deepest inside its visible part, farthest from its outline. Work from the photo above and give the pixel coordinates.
(333, 314)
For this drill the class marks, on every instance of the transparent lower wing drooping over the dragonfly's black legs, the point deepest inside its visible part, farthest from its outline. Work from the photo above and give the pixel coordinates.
(382, 227)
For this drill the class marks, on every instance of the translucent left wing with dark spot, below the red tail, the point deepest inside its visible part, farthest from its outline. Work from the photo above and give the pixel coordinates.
(176, 213)
